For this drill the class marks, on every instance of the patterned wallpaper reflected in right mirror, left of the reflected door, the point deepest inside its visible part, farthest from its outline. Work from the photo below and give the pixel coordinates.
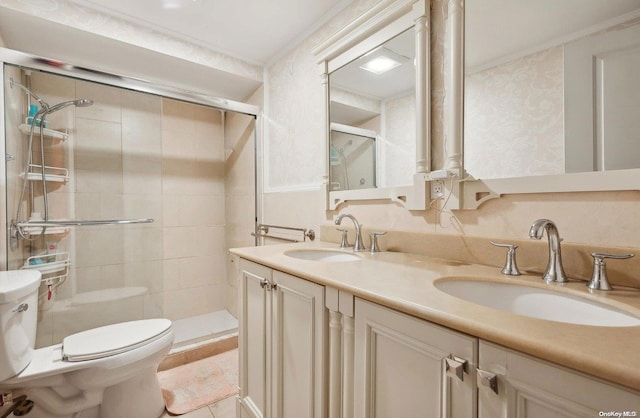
(514, 120)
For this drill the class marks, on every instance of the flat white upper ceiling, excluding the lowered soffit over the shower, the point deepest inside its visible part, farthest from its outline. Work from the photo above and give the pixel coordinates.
(252, 30)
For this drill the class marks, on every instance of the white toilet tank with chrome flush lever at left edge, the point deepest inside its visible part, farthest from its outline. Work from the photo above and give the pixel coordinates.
(18, 319)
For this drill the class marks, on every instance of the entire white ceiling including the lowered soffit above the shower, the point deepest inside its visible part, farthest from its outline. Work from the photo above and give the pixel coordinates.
(256, 32)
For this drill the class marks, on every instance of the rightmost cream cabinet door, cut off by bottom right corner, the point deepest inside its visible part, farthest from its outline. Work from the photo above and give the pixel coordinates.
(533, 388)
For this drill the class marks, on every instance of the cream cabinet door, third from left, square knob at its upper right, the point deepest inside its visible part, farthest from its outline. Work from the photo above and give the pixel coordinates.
(400, 367)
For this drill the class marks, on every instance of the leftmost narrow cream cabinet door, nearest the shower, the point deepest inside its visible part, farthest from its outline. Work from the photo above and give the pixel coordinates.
(253, 339)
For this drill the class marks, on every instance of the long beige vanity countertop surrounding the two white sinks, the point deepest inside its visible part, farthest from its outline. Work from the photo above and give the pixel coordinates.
(405, 282)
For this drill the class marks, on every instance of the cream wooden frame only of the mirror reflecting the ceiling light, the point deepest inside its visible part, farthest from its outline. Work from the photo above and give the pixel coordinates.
(385, 20)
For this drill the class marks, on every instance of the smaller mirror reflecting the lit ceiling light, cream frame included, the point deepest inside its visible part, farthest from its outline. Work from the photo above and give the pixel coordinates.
(378, 117)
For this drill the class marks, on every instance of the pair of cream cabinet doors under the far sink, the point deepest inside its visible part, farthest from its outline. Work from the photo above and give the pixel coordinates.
(282, 345)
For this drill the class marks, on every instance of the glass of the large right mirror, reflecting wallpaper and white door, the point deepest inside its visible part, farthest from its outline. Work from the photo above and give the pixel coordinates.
(549, 90)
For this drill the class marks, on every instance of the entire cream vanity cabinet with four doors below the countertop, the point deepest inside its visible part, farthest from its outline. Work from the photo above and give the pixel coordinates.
(309, 351)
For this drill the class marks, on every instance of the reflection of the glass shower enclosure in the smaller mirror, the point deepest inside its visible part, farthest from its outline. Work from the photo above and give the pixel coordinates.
(352, 158)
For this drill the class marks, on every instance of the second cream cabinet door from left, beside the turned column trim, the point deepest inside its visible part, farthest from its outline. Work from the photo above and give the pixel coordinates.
(299, 338)
